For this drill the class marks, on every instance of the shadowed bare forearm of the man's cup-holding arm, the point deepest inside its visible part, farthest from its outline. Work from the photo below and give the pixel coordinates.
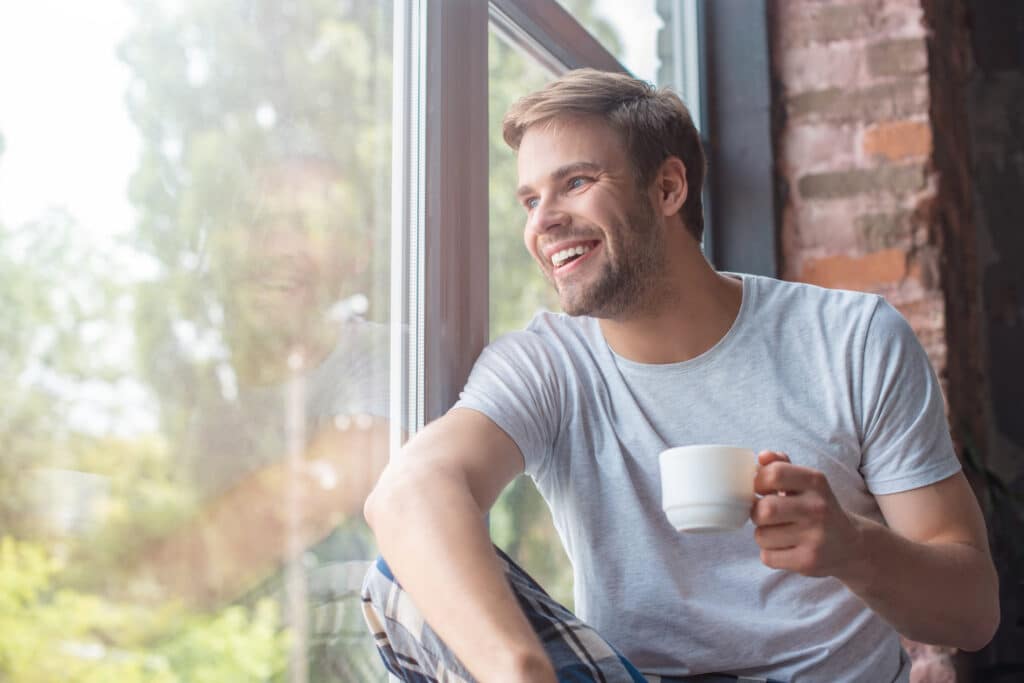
(943, 593)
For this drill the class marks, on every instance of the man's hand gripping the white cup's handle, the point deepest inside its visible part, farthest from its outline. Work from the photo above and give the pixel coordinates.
(800, 525)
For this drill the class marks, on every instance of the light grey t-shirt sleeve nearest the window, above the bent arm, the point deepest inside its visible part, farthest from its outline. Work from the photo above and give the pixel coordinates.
(517, 385)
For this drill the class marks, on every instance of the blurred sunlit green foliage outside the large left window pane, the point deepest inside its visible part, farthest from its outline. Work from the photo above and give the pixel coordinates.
(238, 105)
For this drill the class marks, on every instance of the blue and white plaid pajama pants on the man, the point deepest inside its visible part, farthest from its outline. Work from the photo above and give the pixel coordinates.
(413, 653)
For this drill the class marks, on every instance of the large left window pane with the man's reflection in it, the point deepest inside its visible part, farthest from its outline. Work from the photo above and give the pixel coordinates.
(194, 311)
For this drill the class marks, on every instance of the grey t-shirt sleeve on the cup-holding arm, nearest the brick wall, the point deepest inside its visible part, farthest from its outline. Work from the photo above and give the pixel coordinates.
(906, 441)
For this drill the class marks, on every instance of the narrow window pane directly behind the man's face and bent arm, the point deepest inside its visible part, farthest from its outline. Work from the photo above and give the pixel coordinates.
(521, 523)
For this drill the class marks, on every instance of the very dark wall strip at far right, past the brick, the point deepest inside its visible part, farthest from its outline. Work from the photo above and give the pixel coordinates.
(996, 122)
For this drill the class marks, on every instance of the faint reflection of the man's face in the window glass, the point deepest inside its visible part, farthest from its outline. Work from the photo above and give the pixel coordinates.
(283, 266)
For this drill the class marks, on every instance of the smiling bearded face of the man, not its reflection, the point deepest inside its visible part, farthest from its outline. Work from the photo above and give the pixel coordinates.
(593, 233)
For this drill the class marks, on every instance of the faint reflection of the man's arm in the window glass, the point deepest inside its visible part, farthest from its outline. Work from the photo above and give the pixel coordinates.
(242, 536)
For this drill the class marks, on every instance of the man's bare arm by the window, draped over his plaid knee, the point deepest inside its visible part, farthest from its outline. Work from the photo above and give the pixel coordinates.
(429, 516)
